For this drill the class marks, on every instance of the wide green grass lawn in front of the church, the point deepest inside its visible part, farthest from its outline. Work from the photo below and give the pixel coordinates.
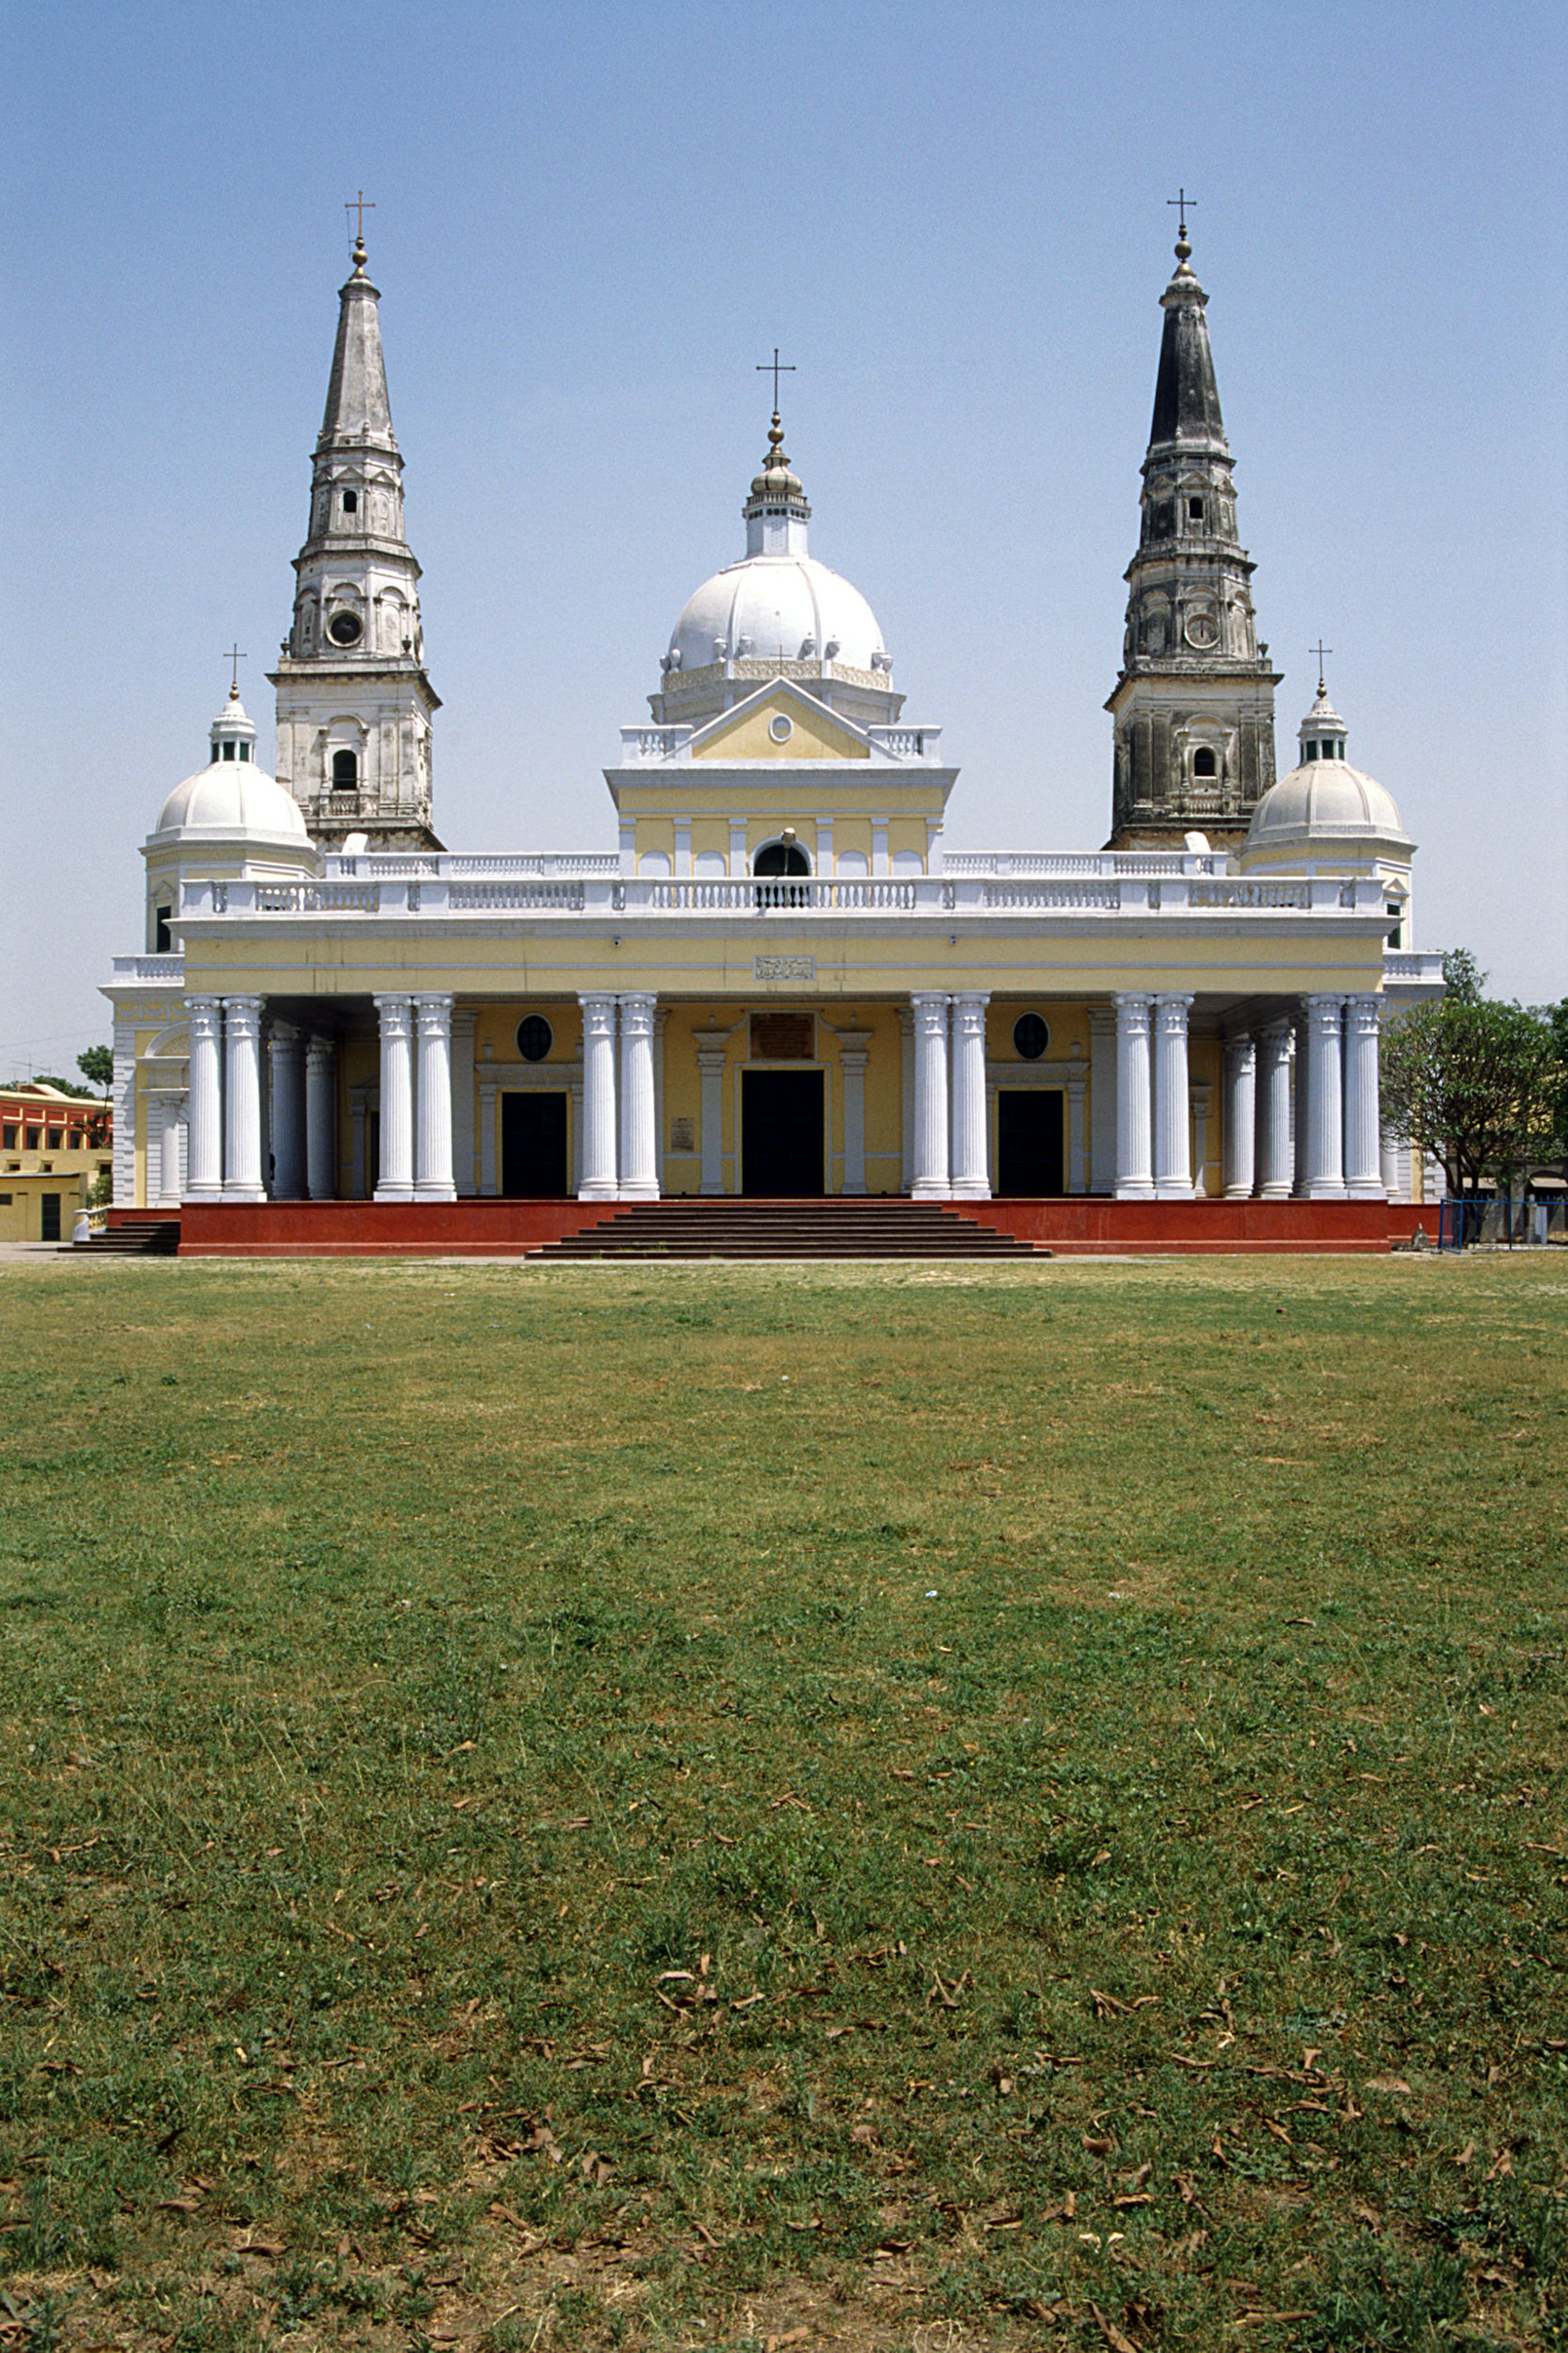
(842, 1806)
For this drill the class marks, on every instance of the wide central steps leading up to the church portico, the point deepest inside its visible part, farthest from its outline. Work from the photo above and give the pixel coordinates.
(788, 1229)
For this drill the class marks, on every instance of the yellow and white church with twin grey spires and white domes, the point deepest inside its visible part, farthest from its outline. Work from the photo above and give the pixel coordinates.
(771, 982)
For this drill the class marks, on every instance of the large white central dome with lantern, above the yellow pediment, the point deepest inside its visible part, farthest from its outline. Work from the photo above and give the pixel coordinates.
(778, 613)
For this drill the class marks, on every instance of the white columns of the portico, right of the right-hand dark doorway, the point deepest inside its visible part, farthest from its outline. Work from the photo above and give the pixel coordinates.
(1301, 1102)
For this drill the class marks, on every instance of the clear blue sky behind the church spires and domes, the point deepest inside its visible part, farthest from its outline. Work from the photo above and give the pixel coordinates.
(952, 215)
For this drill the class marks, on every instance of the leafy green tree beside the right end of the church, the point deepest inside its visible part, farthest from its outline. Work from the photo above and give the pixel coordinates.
(1473, 1081)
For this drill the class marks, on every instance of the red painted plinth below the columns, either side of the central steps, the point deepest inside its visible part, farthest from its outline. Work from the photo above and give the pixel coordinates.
(1075, 1227)
